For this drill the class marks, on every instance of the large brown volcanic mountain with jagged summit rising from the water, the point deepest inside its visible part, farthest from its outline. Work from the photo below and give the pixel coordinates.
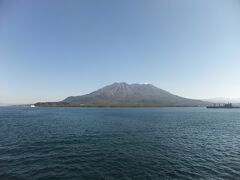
(127, 95)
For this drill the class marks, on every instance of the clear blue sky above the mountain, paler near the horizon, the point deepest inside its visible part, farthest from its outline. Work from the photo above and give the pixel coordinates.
(50, 49)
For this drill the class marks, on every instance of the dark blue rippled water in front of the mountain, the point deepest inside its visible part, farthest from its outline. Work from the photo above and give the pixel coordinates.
(151, 143)
